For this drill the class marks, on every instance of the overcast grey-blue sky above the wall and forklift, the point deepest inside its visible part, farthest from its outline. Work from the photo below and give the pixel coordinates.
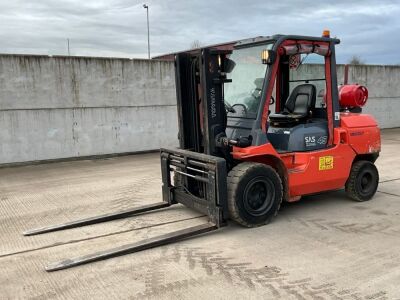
(368, 28)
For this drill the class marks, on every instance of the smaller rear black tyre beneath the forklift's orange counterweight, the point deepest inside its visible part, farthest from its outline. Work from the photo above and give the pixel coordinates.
(363, 181)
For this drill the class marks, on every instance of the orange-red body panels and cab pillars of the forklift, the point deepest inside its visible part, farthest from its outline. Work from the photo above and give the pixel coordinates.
(321, 170)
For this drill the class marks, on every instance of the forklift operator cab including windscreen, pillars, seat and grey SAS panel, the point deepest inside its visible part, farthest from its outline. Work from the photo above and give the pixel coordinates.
(285, 93)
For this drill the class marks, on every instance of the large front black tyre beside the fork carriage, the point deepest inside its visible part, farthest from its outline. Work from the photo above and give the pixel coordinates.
(254, 194)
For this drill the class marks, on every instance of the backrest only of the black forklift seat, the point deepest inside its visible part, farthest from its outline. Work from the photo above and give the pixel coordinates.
(302, 99)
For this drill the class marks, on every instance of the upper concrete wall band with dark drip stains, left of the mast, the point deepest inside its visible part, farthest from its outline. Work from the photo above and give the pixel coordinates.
(32, 82)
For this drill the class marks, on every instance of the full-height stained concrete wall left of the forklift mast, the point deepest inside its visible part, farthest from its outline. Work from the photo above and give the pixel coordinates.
(59, 107)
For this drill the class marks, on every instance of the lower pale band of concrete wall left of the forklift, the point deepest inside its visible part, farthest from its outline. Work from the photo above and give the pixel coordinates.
(28, 135)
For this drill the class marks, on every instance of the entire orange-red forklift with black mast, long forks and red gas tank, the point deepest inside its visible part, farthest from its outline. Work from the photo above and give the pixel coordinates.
(259, 124)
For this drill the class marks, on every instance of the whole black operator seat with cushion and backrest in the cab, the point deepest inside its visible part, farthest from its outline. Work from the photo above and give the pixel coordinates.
(298, 107)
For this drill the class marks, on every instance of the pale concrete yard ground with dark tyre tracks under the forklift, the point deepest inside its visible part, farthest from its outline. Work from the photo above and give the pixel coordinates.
(322, 247)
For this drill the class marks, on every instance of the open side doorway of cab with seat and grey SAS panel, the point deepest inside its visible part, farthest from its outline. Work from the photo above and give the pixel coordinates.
(301, 123)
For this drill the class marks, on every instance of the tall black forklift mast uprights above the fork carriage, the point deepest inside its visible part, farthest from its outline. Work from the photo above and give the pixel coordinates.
(200, 76)
